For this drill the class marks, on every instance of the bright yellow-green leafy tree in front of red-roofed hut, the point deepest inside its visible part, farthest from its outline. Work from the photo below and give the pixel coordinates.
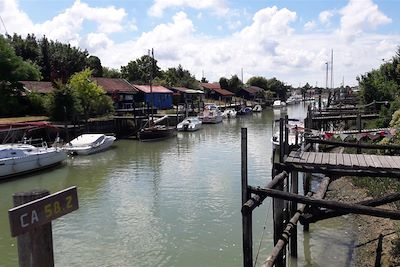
(92, 98)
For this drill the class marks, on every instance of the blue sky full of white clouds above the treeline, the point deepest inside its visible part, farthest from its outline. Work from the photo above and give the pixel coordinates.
(291, 40)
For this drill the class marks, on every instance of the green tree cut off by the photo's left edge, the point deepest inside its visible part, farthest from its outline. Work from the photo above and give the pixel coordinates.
(12, 70)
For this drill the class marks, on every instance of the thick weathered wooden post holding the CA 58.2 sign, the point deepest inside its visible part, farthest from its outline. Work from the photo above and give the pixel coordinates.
(35, 248)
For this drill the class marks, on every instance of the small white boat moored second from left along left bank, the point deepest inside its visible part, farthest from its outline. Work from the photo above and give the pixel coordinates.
(86, 144)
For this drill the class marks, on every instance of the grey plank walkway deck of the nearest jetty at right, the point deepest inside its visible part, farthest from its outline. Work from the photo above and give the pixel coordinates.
(344, 164)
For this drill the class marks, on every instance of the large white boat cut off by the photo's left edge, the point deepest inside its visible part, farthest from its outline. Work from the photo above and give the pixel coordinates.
(18, 159)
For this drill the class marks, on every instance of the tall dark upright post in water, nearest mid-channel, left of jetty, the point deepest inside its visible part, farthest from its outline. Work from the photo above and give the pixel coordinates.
(246, 218)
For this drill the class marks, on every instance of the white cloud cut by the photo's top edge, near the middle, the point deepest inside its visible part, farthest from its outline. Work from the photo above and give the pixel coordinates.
(158, 7)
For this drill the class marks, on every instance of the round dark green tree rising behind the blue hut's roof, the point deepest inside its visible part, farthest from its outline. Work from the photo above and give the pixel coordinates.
(138, 71)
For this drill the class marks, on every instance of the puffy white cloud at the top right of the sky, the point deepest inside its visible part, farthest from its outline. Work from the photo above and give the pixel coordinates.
(359, 16)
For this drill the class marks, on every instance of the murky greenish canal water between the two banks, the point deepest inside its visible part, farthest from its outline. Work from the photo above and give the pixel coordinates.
(170, 203)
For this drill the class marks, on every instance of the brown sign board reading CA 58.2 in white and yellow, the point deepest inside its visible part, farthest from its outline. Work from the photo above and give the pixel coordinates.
(41, 211)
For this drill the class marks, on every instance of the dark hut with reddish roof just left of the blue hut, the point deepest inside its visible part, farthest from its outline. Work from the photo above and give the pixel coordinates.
(120, 90)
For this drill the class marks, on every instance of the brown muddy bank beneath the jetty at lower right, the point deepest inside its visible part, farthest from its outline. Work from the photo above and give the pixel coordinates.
(366, 228)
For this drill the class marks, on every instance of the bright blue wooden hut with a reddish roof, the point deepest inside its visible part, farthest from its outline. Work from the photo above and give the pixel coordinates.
(157, 96)
